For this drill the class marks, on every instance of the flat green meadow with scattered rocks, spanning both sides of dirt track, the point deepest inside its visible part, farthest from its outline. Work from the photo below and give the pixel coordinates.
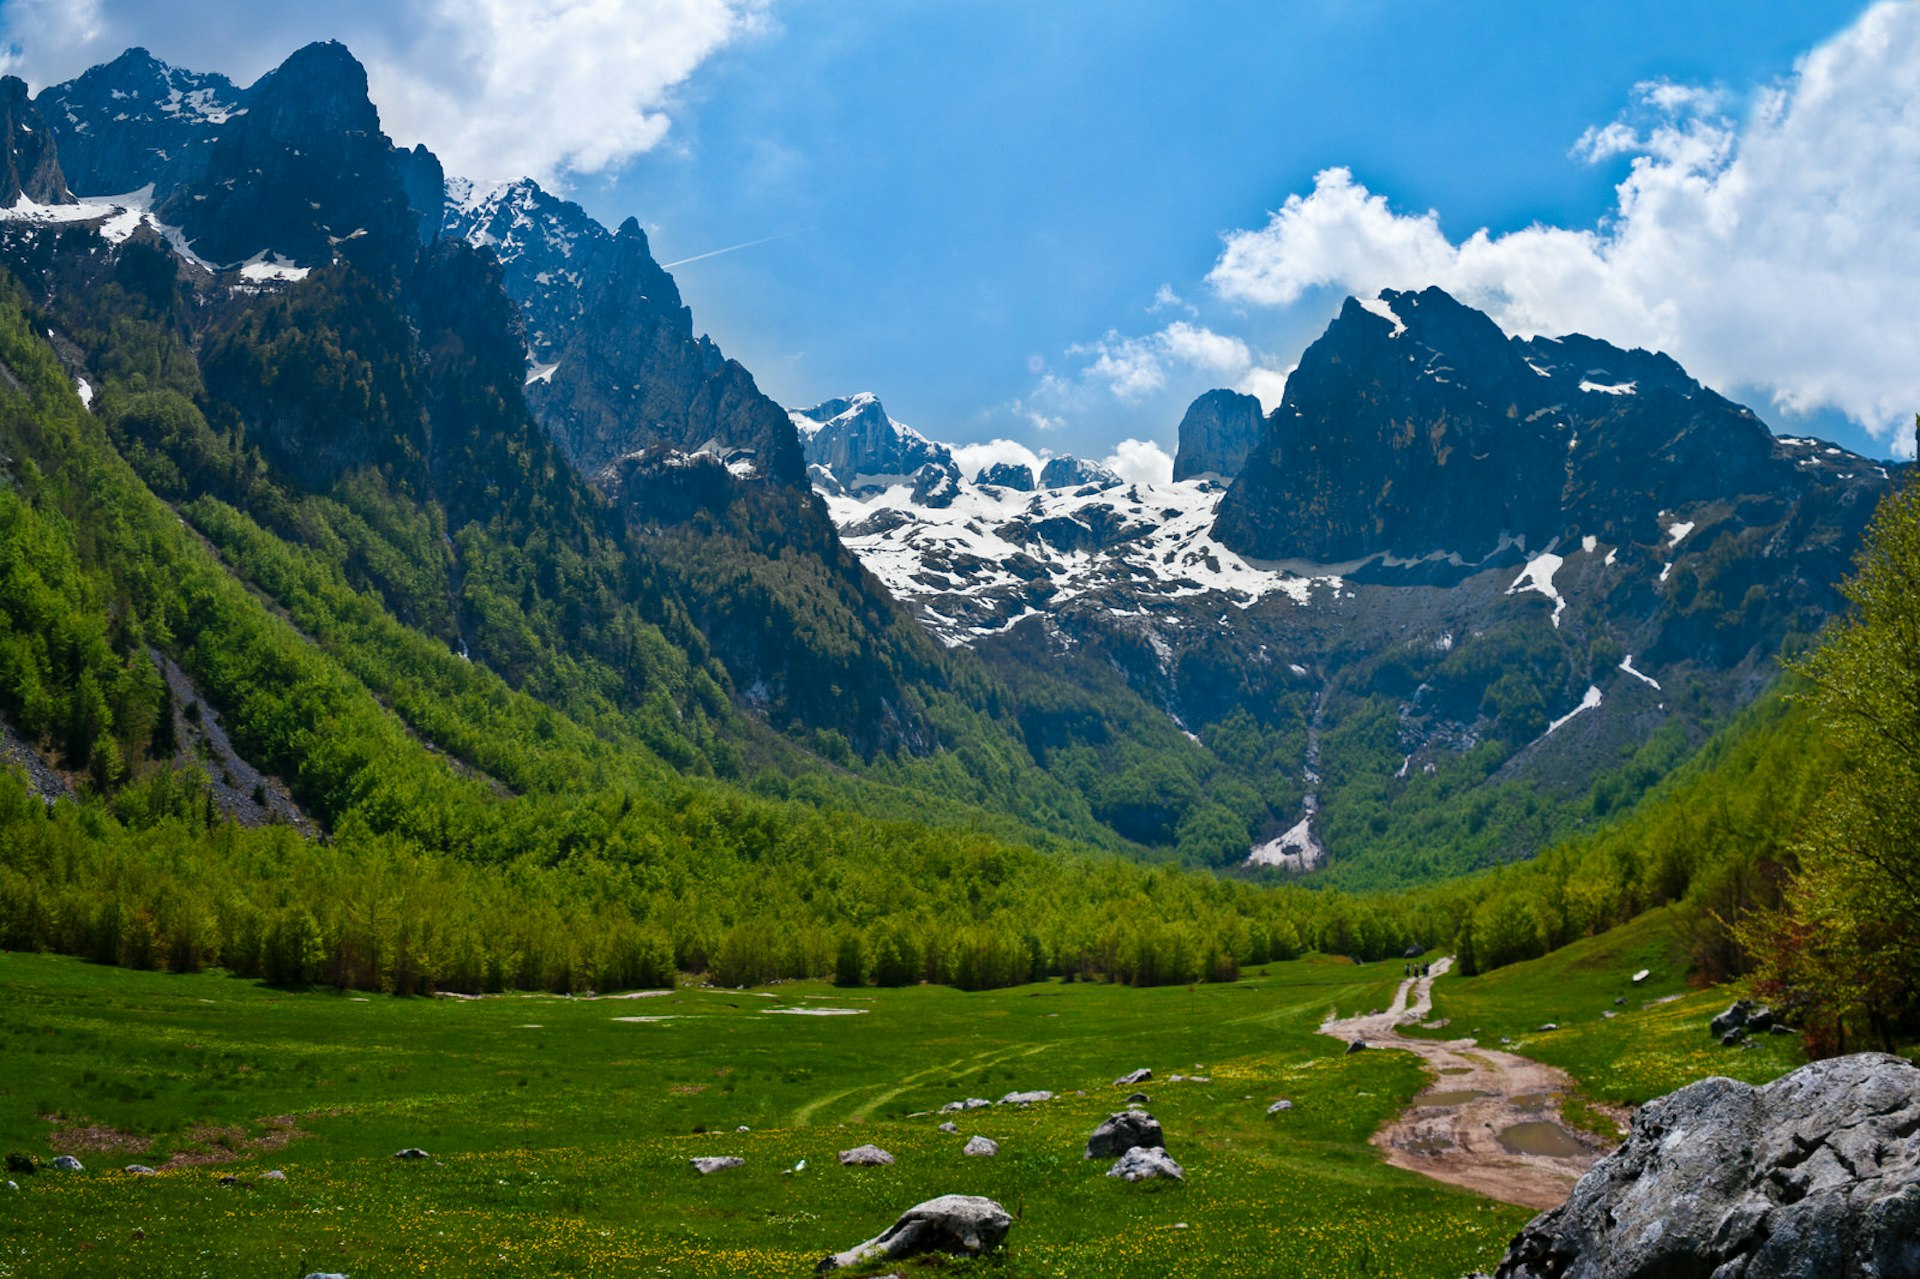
(560, 1130)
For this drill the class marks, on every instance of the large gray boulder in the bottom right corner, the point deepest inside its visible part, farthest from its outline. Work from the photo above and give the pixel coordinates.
(1815, 1174)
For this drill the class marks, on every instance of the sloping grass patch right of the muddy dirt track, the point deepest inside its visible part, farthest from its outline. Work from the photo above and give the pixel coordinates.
(1654, 1042)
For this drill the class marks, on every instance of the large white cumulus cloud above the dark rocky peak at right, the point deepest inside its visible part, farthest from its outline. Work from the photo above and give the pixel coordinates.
(1777, 253)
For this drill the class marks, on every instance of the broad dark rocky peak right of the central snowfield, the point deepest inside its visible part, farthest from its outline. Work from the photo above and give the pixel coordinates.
(1414, 427)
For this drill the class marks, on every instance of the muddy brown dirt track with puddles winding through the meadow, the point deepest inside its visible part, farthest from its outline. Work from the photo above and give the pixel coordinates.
(1456, 1138)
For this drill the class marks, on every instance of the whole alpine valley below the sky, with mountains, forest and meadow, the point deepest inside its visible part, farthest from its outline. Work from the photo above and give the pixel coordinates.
(402, 596)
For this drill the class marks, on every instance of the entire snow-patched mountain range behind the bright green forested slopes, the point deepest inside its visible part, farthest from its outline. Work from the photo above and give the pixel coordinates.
(1454, 596)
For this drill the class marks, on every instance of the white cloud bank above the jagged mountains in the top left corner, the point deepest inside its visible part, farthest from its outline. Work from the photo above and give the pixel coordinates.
(498, 89)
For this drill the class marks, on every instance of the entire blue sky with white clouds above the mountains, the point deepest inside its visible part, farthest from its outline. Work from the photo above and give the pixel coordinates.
(1047, 228)
